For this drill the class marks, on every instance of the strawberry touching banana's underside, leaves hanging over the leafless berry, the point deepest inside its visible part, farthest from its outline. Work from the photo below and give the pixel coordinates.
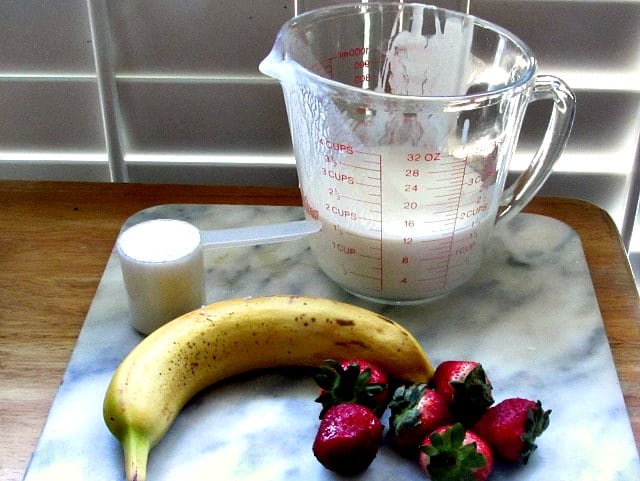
(353, 380)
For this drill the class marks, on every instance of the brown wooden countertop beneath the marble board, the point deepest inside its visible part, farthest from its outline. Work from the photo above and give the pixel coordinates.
(57, 237)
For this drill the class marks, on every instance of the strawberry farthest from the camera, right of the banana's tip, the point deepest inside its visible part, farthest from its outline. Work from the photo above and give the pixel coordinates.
(466, 388)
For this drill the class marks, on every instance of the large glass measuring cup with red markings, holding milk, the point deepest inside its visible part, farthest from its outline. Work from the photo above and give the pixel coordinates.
(403, 119)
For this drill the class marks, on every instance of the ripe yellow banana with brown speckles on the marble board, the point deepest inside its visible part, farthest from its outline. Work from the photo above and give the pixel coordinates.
(223, 339)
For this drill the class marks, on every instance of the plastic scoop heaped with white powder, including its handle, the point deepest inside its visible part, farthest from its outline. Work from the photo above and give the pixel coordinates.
(162, 263)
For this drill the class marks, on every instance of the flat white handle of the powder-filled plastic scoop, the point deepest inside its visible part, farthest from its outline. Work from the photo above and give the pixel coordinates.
(260, 234)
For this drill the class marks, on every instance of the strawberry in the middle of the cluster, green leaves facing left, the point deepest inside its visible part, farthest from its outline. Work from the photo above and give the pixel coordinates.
(416, 411)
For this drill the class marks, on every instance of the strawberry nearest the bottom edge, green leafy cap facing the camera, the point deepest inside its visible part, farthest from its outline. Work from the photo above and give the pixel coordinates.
(452, 454)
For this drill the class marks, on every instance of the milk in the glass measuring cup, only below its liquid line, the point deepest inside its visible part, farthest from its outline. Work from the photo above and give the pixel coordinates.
(390, 270)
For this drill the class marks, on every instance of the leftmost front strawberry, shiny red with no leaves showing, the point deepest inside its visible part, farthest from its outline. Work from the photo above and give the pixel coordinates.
(348, 438)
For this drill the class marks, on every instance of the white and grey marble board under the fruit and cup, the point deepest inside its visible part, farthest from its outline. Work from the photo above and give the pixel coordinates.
(530, 316)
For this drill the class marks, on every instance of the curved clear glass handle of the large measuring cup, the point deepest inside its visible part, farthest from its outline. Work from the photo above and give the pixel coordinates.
(522, 190)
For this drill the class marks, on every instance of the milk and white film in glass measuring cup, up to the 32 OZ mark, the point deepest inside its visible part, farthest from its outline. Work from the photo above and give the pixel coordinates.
(401, 226)
